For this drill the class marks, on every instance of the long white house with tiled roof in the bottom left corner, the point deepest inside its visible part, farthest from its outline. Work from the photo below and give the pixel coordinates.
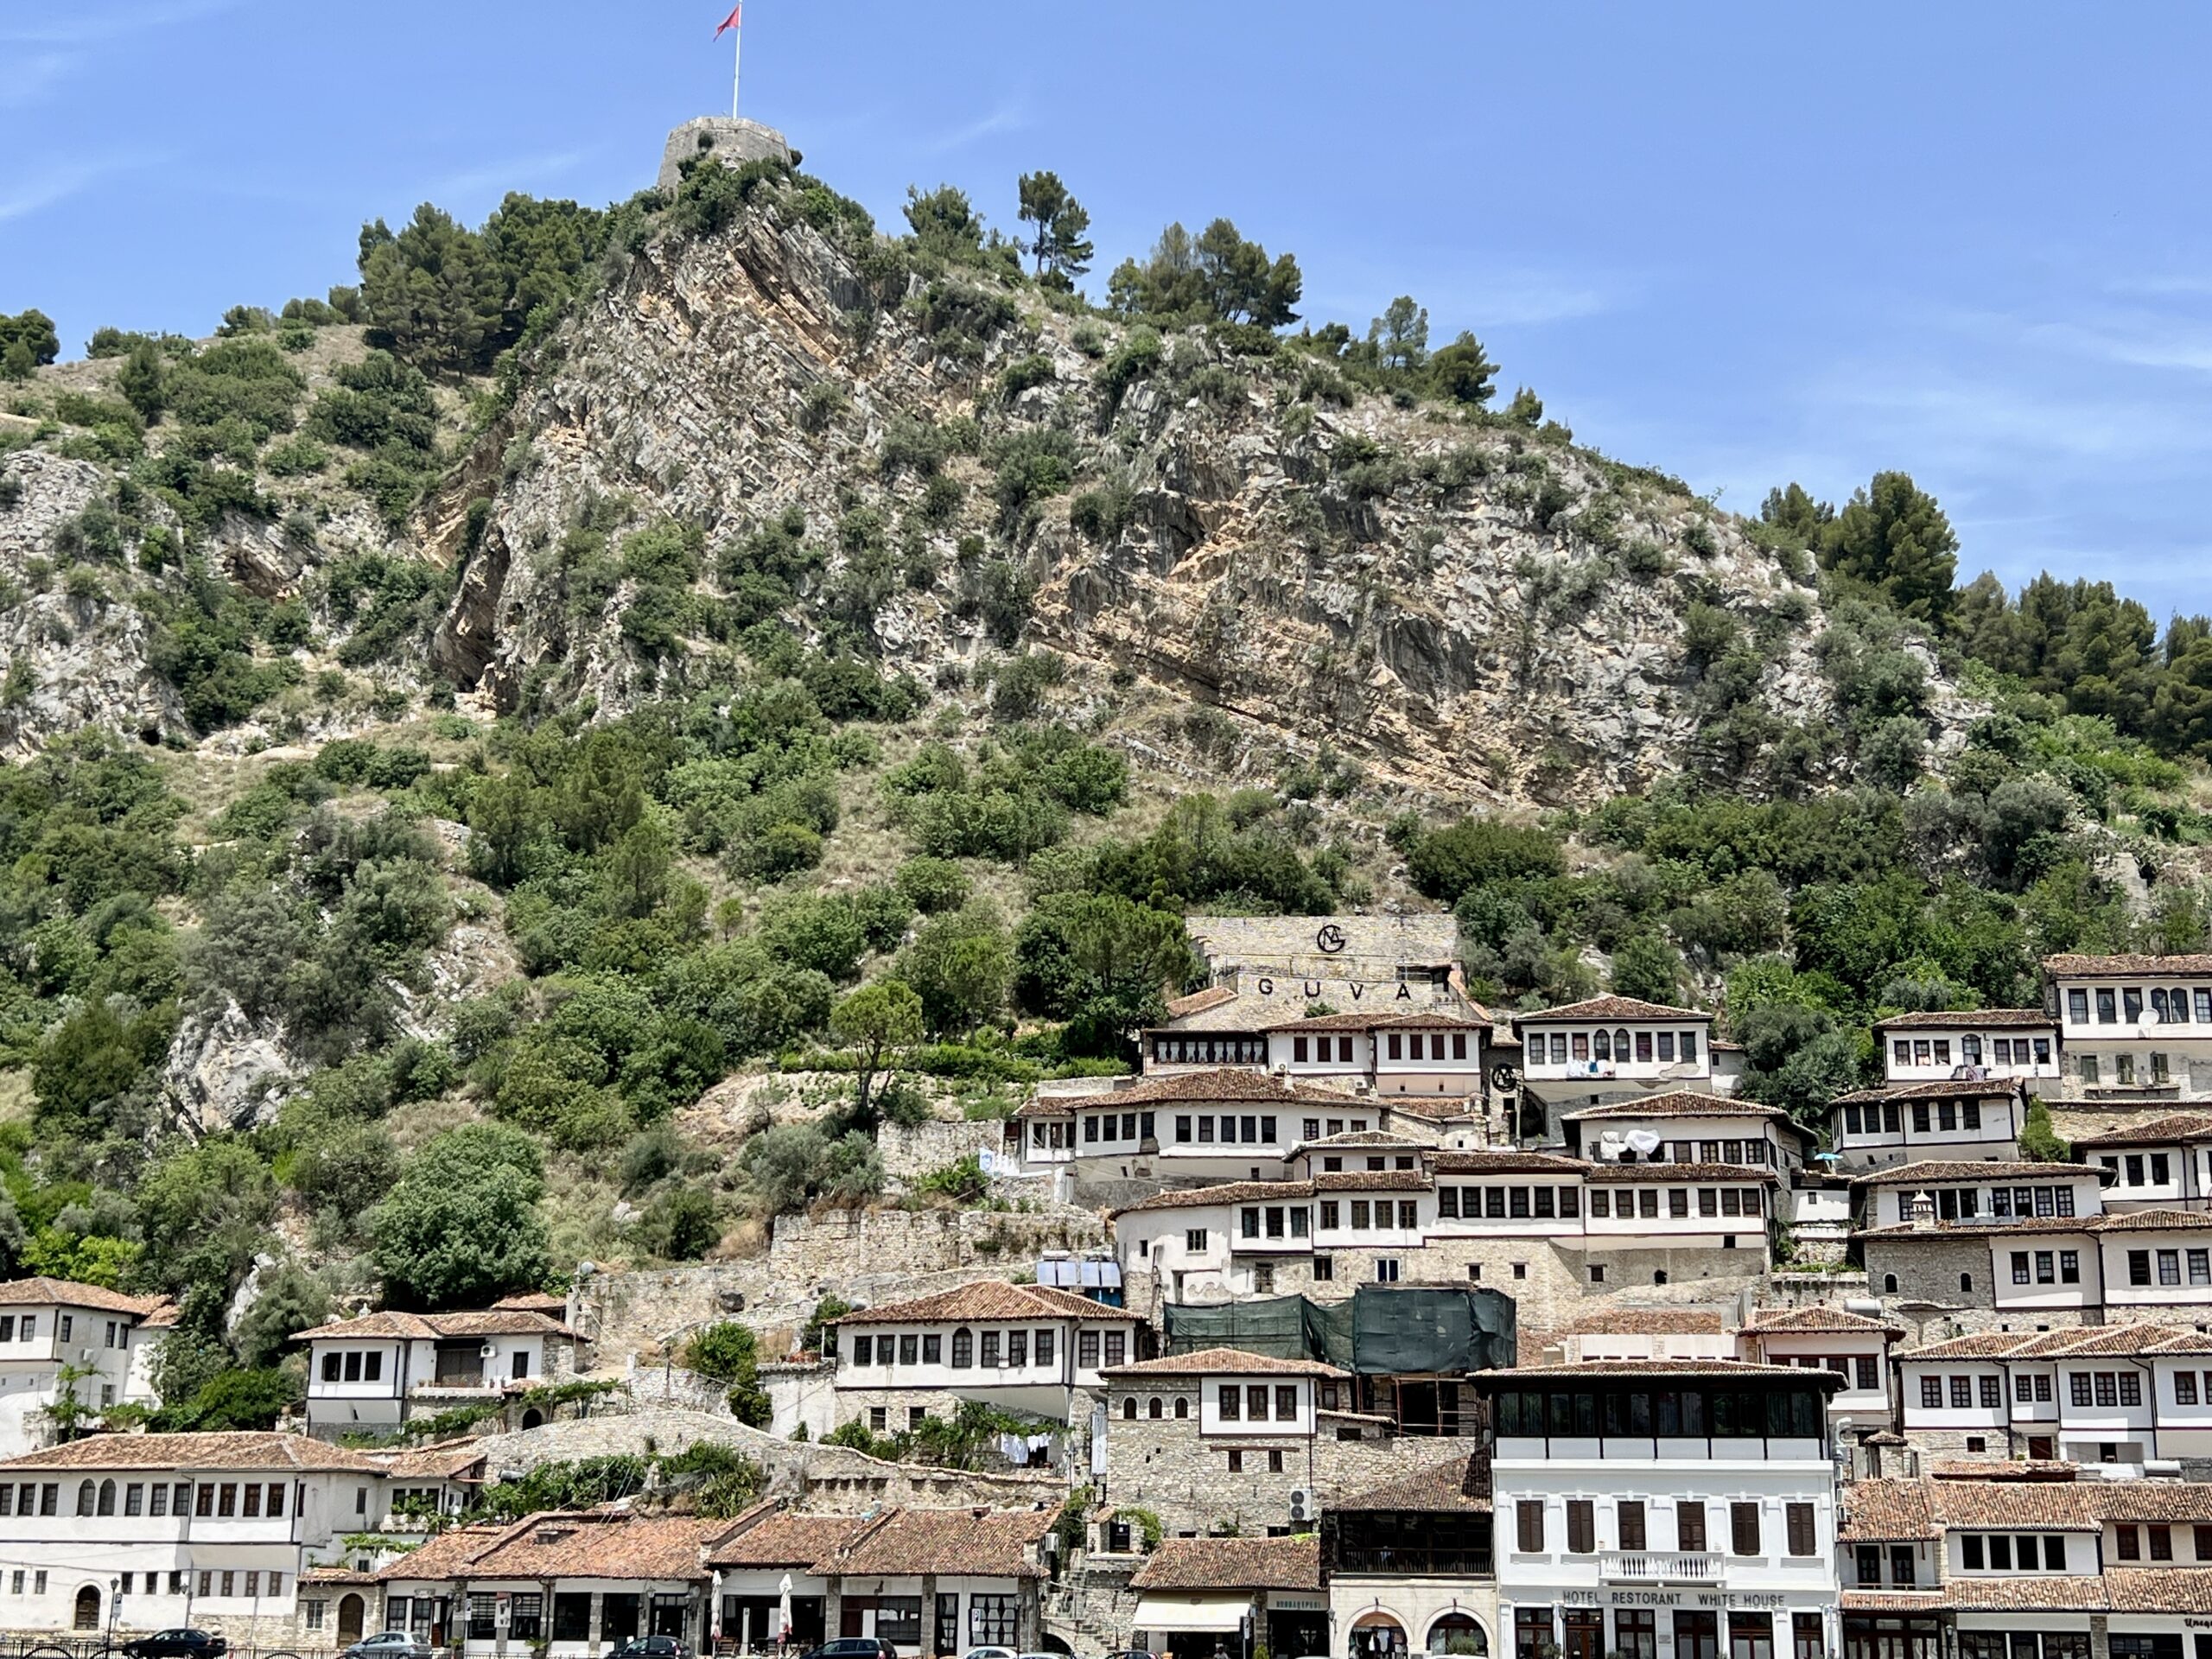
(207, 1530)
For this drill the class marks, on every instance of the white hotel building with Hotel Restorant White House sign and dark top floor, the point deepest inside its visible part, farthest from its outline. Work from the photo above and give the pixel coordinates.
(1693, 1499)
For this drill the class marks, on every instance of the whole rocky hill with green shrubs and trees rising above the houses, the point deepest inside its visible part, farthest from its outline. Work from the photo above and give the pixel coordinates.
(541, 753)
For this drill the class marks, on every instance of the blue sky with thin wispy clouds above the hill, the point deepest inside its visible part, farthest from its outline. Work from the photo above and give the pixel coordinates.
(1744, 244)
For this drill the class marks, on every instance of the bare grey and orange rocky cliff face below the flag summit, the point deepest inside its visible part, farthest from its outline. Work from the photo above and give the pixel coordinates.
(1472, 609)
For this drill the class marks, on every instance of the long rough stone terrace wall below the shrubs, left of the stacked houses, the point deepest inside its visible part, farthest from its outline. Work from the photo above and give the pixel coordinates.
(862, 1255)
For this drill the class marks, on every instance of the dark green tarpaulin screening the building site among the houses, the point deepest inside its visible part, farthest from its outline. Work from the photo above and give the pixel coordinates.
(1384, 1331)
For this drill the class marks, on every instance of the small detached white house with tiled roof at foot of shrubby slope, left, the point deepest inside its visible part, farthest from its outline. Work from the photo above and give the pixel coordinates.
(377, 1370)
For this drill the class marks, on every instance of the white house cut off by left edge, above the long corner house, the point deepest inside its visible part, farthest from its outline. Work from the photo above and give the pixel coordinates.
(61, 1337)
